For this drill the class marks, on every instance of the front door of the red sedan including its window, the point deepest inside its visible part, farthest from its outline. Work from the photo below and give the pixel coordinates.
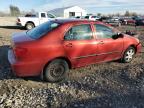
(108, 47)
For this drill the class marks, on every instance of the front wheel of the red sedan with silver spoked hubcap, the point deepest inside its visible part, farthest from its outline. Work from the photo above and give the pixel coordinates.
(128, 55)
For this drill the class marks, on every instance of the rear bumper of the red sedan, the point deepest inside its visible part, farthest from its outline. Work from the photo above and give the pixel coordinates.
(23, 69)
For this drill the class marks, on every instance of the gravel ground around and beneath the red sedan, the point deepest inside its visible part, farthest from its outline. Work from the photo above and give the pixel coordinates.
(106, 85)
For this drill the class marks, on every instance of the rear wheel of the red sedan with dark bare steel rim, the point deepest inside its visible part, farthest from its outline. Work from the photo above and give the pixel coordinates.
(56, 70)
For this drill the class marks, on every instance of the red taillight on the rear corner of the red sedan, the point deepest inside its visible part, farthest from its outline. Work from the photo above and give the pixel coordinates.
(20, 52)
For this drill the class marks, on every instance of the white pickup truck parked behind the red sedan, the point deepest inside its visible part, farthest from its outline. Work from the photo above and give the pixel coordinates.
(30, 21)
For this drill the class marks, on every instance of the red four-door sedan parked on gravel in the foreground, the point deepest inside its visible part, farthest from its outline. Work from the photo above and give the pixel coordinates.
(54, 47)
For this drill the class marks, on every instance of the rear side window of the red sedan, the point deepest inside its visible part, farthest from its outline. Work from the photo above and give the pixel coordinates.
(79, 32)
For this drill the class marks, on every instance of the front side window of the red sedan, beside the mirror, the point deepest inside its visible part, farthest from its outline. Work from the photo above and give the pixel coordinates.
(103, 32)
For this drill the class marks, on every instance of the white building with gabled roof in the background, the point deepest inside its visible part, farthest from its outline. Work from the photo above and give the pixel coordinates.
(68, 12)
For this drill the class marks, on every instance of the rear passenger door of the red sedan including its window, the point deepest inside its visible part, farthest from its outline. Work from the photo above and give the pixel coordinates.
(80, 45)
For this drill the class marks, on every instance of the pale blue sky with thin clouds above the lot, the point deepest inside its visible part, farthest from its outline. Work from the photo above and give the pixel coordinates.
(92, 6)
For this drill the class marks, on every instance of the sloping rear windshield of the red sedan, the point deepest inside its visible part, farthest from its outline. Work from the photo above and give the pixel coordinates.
(42, 29)
